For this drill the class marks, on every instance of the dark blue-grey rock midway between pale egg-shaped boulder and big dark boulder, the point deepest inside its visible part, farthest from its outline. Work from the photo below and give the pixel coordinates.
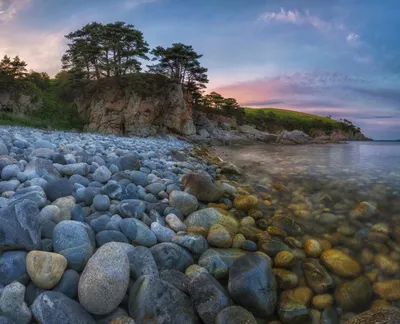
(171, 256)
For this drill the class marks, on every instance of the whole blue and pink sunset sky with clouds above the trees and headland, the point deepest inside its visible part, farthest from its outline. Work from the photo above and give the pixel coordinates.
(337, 57)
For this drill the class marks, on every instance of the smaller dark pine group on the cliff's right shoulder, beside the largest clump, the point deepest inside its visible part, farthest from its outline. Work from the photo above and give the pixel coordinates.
(181, 64)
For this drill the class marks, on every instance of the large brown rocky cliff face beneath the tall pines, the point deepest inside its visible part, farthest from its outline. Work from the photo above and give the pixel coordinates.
(139, 104)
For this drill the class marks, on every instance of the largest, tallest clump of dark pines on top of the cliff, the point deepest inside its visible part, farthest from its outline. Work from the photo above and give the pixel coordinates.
(99, 50)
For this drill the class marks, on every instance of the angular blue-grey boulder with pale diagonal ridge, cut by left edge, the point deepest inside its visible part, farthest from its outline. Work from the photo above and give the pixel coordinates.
(19, 226)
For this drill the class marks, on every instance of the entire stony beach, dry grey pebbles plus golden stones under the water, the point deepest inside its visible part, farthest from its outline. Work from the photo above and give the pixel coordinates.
(106, 229)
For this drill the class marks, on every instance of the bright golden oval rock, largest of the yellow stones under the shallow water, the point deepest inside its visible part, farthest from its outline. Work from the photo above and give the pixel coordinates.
(341, 263)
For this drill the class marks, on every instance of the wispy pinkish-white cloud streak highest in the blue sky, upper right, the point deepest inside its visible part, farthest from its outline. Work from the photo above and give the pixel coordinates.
(298, 18)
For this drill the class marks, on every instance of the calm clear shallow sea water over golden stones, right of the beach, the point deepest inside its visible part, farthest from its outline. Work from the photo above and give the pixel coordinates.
(344, 196)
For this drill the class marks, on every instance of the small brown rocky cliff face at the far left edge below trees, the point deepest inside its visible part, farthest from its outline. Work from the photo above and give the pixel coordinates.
(17, 100)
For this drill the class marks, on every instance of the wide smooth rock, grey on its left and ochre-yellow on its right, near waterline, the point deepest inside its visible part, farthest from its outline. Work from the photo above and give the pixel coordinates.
(209, 216)
